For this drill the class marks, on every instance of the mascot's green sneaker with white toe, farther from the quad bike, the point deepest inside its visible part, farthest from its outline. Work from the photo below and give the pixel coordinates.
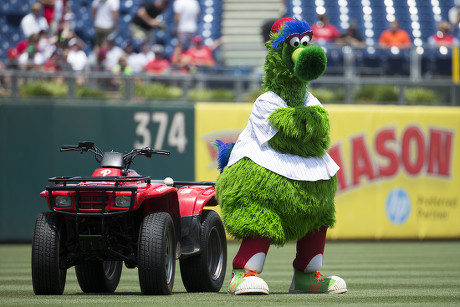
(316, 283)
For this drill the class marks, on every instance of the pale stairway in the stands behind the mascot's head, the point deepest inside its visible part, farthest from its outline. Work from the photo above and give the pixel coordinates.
(242, 21)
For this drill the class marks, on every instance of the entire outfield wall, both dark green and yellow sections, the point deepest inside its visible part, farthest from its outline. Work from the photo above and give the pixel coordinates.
(399, 176)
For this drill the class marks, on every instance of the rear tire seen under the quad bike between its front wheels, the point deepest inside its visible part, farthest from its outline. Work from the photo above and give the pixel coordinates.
(99, 276)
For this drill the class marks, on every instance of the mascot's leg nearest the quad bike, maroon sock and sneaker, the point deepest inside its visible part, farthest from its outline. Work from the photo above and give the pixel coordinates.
(249, 261)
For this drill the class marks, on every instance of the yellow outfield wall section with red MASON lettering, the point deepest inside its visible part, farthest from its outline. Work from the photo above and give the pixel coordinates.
(400, 166)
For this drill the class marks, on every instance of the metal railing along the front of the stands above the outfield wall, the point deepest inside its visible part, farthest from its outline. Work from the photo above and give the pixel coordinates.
(349, 68)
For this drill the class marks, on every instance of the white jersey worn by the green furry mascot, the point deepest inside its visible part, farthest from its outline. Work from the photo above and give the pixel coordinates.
(253, 143)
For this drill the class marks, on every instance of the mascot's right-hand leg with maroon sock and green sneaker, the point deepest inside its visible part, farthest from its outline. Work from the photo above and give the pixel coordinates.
(309, 259)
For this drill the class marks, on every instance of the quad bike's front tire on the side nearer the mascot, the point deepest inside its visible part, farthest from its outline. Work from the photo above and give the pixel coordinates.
(157, 254)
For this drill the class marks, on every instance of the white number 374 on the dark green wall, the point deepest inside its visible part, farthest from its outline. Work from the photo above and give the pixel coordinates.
(160, 130)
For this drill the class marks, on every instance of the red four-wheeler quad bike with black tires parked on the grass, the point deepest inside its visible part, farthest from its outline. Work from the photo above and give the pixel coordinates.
(116, 215)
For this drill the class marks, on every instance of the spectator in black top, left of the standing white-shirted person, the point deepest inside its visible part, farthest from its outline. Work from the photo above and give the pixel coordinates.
(147, 18)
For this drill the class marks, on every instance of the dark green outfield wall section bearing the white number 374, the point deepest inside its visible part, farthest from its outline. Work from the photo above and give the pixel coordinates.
(31, 134)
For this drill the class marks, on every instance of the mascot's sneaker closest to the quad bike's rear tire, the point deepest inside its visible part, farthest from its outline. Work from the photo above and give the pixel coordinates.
(247, 283)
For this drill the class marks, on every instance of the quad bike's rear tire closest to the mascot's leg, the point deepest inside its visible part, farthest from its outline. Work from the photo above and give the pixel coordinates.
(205, 272)
